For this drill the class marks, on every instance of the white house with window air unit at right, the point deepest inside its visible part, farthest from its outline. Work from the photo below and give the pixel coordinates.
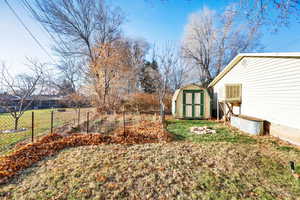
(264, 86)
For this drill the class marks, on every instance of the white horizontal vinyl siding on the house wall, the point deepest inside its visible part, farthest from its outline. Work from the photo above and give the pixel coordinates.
(270, 88)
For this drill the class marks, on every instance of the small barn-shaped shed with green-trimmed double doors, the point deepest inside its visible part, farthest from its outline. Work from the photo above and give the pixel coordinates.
(191, 102)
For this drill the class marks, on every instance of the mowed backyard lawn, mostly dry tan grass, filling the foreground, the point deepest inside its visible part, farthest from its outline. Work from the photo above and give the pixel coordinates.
(225, 165)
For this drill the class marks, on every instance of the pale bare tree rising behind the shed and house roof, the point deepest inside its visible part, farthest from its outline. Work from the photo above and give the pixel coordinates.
(210, 42)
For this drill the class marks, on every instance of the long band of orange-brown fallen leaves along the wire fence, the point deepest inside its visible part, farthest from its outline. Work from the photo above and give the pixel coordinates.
(27, 155)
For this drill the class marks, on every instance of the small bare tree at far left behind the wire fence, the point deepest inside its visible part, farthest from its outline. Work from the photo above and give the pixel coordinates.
(20, 91)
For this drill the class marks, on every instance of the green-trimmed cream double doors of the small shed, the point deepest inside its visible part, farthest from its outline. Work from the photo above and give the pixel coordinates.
(193, 103)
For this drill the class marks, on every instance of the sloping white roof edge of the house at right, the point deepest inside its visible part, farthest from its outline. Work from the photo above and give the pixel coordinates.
(240, 56)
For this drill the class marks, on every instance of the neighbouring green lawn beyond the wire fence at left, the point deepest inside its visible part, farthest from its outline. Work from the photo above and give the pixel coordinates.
(42, 125)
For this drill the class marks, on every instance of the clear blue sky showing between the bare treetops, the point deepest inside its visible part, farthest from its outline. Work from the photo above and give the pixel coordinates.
(152, 20)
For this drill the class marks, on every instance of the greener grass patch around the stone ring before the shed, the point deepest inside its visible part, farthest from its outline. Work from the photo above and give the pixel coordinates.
(181, 130)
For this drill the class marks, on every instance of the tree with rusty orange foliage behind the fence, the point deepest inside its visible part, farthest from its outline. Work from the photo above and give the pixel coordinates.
(116, 69)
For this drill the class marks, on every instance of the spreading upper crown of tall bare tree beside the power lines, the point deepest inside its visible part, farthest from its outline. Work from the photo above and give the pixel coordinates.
(78, 26)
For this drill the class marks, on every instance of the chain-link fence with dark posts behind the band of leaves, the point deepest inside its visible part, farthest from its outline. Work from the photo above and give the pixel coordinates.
(36, 123)
